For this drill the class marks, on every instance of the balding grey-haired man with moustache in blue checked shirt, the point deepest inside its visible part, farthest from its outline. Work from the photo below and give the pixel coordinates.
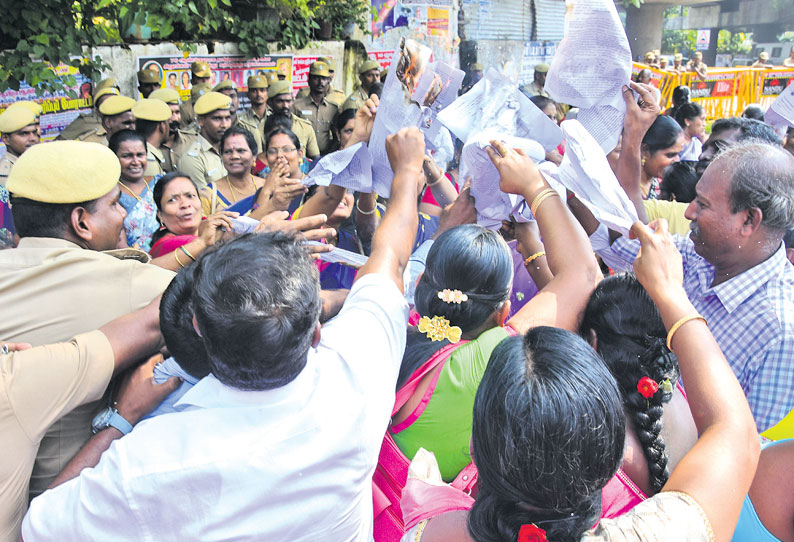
(736, 272)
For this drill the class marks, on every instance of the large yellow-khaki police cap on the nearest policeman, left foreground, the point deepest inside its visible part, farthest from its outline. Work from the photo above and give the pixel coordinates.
(64, 172)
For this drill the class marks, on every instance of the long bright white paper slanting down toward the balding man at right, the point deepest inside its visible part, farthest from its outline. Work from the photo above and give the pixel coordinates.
(586, 172)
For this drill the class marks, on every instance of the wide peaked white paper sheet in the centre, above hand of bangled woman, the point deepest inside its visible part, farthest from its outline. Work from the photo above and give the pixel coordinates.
(495, 104)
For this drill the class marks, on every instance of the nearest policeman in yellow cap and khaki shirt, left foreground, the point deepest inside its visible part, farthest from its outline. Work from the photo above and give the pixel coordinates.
(65, 203)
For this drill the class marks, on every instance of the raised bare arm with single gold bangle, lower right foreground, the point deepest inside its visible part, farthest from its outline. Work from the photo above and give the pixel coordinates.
(718, 470)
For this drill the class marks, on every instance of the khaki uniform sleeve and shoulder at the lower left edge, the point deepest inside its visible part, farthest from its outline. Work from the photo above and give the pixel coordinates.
(68, 375)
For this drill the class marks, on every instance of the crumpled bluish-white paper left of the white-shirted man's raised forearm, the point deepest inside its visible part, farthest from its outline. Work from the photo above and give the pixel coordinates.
(350, 167)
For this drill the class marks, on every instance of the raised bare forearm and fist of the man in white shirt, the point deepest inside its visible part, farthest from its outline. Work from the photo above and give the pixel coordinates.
(394, 238)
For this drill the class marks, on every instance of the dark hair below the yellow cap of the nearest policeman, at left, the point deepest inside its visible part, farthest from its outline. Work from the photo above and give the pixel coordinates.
(39, 219)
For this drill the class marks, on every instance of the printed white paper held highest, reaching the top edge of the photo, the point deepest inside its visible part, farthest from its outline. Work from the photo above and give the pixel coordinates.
(590, 67)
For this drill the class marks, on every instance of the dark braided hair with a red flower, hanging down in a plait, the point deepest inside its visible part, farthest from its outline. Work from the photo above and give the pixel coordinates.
(630, 337)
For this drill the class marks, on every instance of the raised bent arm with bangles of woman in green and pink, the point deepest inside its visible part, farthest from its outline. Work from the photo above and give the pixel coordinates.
(561, 302)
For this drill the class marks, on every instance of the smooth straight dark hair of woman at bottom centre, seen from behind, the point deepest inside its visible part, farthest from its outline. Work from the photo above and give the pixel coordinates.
(547, 435)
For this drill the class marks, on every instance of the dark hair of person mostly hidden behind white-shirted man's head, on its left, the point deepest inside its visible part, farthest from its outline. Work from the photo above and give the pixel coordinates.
(176, 325)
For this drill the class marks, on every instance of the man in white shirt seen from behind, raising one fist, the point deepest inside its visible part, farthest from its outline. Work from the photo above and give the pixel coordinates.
(281, 443)
